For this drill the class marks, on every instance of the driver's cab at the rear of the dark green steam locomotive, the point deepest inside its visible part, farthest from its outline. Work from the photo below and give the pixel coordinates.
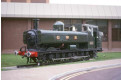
(95, 36)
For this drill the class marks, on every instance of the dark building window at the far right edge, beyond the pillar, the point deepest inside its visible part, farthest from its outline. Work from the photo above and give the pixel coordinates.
(116, 30)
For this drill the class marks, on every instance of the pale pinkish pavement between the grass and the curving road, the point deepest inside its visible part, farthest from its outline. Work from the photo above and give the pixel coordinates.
(45, 73)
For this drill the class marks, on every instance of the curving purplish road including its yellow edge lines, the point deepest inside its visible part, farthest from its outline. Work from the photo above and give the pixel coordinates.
(107, 73)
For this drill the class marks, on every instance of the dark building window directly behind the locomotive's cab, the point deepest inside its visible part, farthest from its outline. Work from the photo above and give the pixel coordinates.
(103, 26)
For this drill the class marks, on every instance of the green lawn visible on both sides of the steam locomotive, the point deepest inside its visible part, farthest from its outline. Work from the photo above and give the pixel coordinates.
(12, 60)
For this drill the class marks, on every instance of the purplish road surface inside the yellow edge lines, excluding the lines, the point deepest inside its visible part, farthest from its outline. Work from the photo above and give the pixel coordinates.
(108, 74)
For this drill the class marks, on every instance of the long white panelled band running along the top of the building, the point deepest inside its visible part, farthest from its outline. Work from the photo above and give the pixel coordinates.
(42, 10)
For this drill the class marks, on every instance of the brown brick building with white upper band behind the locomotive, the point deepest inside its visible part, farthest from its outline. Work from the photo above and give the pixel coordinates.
(17, 17)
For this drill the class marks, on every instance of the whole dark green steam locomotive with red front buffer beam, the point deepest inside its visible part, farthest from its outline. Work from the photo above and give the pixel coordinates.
(57, 44)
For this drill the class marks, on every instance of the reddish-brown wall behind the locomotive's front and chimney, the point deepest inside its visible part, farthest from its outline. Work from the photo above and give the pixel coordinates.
(13, 28)
